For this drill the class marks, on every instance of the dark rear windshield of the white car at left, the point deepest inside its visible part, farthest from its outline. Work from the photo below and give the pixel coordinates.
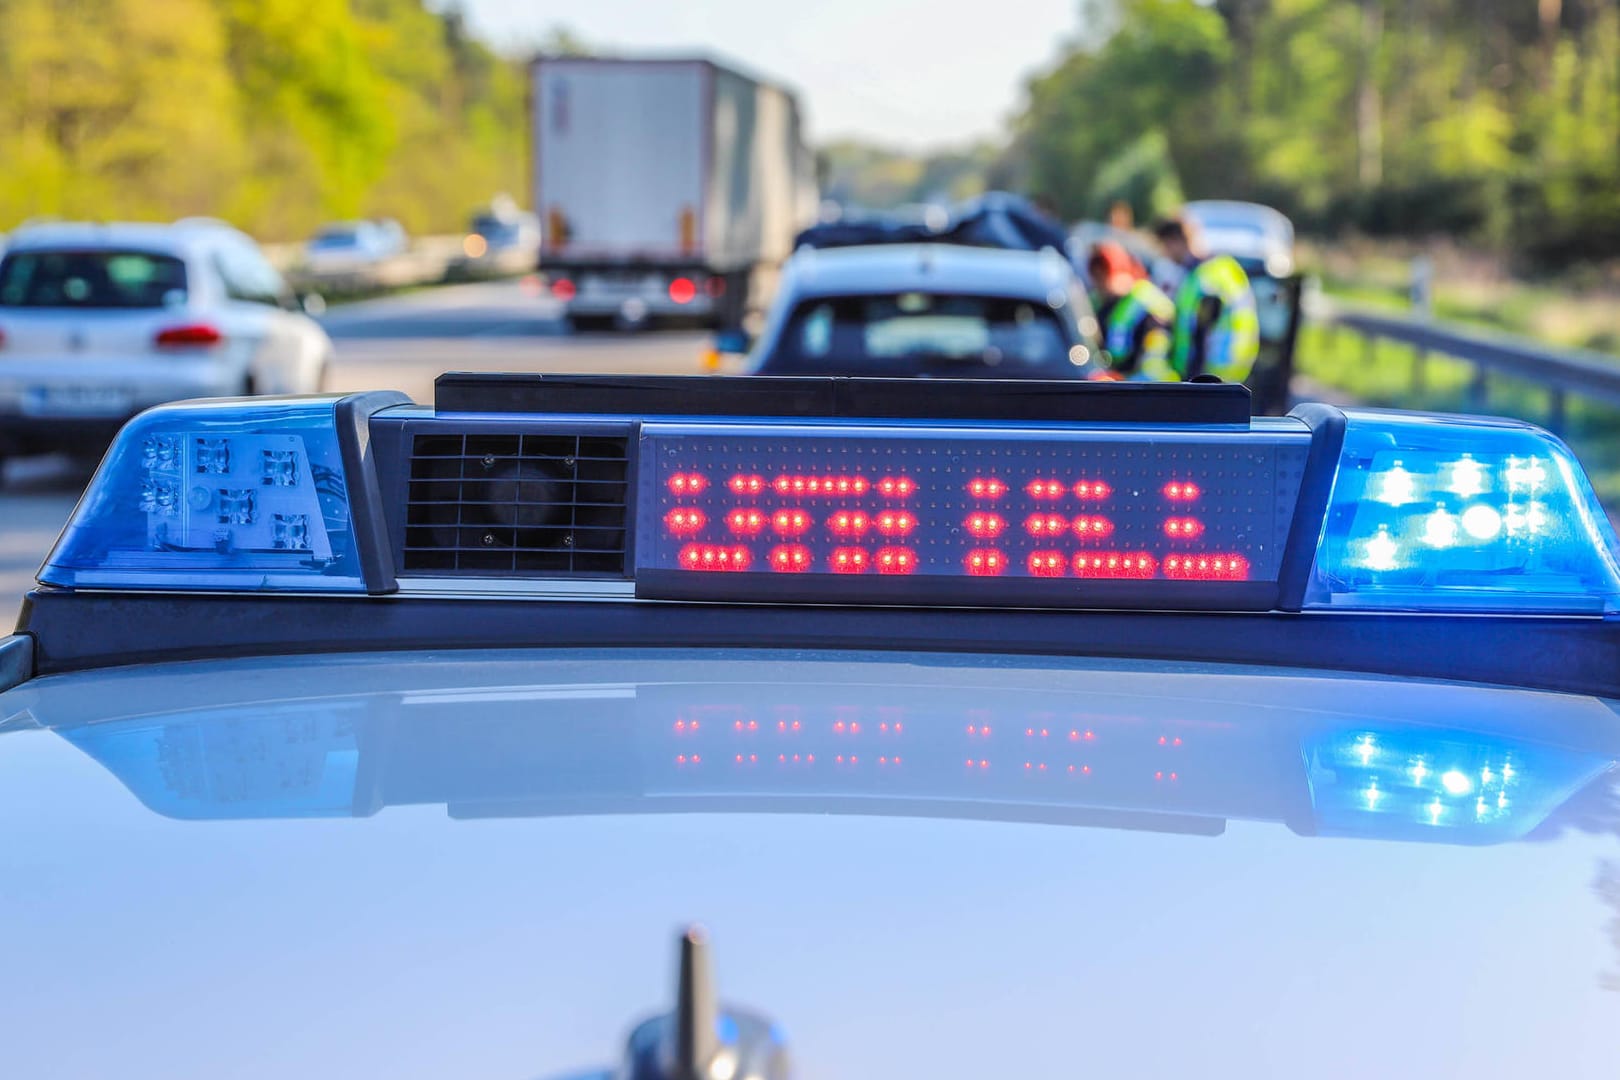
(92, 279)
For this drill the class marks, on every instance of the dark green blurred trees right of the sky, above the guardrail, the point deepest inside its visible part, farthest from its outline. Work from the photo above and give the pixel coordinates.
(1494, 121)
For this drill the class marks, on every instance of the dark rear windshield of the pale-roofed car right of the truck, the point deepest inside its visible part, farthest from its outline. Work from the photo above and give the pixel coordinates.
(926, 333)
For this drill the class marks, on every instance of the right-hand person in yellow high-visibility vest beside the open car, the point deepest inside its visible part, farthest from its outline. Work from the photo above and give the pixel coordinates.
(1217, 326)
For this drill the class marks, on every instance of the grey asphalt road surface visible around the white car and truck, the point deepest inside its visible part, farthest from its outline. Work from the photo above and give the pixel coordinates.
(394, 344)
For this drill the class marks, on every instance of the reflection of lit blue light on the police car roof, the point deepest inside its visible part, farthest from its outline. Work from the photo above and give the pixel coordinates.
(1451, 788)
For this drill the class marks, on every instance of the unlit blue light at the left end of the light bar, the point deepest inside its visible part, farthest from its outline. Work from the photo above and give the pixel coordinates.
(216, 496)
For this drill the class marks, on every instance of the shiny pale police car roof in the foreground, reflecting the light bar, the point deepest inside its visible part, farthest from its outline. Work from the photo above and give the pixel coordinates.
(544, 820)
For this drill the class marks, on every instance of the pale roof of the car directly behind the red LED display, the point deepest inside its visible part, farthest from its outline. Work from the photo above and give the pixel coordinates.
(950, 270)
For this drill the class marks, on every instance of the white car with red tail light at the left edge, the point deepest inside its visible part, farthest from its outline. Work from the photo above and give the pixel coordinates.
(103, 321)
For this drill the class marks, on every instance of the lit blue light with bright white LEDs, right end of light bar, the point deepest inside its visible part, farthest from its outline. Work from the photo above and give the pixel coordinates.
(1462, 514)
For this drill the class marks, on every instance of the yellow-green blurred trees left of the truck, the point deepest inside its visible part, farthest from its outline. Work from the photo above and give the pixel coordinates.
(275, 114)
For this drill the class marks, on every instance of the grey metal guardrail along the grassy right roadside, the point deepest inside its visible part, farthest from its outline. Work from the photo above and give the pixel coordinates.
(1559, 372)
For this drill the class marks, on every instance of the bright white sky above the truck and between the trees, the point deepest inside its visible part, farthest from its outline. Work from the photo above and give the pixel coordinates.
(914, 74)
